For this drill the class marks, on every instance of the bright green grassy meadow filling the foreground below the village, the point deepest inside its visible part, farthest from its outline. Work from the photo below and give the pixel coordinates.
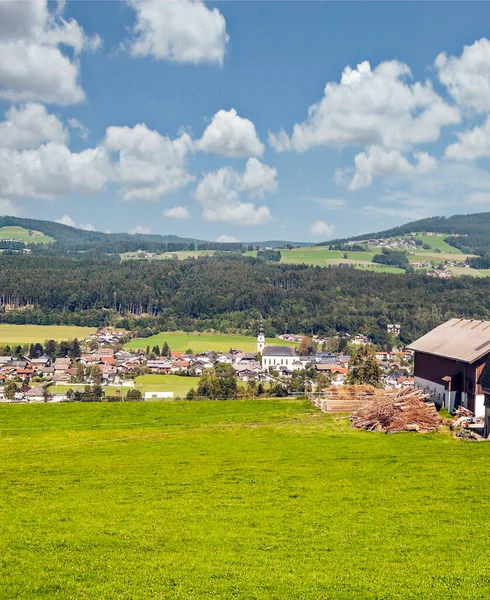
(254, 499)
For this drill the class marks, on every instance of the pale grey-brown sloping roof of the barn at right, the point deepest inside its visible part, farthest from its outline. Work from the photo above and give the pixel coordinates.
(459, 339)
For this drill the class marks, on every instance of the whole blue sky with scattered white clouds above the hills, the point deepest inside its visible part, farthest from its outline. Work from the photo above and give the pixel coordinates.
(248, 121)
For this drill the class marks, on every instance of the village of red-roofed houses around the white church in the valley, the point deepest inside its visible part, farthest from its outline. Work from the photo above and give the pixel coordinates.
(102, 364)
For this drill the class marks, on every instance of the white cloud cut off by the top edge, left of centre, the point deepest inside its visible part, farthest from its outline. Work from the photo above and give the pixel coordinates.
(185, 31)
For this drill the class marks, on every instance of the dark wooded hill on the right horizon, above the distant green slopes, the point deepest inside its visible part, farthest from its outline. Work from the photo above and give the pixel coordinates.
(470, 233)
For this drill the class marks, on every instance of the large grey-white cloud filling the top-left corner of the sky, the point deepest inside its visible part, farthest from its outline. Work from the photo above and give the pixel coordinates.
(32, 65)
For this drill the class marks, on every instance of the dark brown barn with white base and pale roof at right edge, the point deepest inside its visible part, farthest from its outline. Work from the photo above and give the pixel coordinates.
(449, 362)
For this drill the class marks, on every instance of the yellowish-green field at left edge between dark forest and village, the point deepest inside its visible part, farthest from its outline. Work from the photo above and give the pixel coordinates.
(31, 334)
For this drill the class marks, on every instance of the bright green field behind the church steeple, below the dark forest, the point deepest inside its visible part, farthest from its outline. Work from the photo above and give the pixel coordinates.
(180, 341)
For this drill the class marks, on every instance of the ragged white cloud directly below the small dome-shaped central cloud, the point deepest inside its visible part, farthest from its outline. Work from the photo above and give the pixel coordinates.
(219, 194)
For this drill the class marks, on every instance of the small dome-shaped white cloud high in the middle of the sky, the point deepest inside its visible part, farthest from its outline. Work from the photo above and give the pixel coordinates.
(231, 135)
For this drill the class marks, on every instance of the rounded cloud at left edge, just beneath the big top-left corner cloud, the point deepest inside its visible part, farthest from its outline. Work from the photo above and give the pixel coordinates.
(28, 126)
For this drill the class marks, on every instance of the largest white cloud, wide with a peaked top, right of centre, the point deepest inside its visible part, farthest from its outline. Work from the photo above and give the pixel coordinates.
(379, 107)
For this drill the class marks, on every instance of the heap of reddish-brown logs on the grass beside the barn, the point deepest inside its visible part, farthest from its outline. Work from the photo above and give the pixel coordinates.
(396, 411)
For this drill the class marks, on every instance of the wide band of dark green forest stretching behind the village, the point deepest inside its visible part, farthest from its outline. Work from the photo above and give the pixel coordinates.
(231, 294)
